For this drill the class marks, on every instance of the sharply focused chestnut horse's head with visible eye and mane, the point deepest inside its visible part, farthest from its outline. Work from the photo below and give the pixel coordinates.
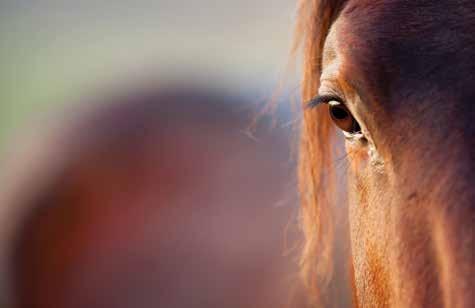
(394, 81)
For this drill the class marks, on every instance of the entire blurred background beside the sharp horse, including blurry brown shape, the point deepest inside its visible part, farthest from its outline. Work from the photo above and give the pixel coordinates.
(141, 164)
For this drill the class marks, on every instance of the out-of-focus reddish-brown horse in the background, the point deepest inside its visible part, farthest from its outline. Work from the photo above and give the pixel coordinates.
(148, 197)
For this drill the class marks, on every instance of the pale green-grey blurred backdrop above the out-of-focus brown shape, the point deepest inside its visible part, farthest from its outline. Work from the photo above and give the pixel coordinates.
(54, 51)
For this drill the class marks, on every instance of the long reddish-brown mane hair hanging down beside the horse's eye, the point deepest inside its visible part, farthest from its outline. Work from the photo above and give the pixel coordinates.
(317, 178)
